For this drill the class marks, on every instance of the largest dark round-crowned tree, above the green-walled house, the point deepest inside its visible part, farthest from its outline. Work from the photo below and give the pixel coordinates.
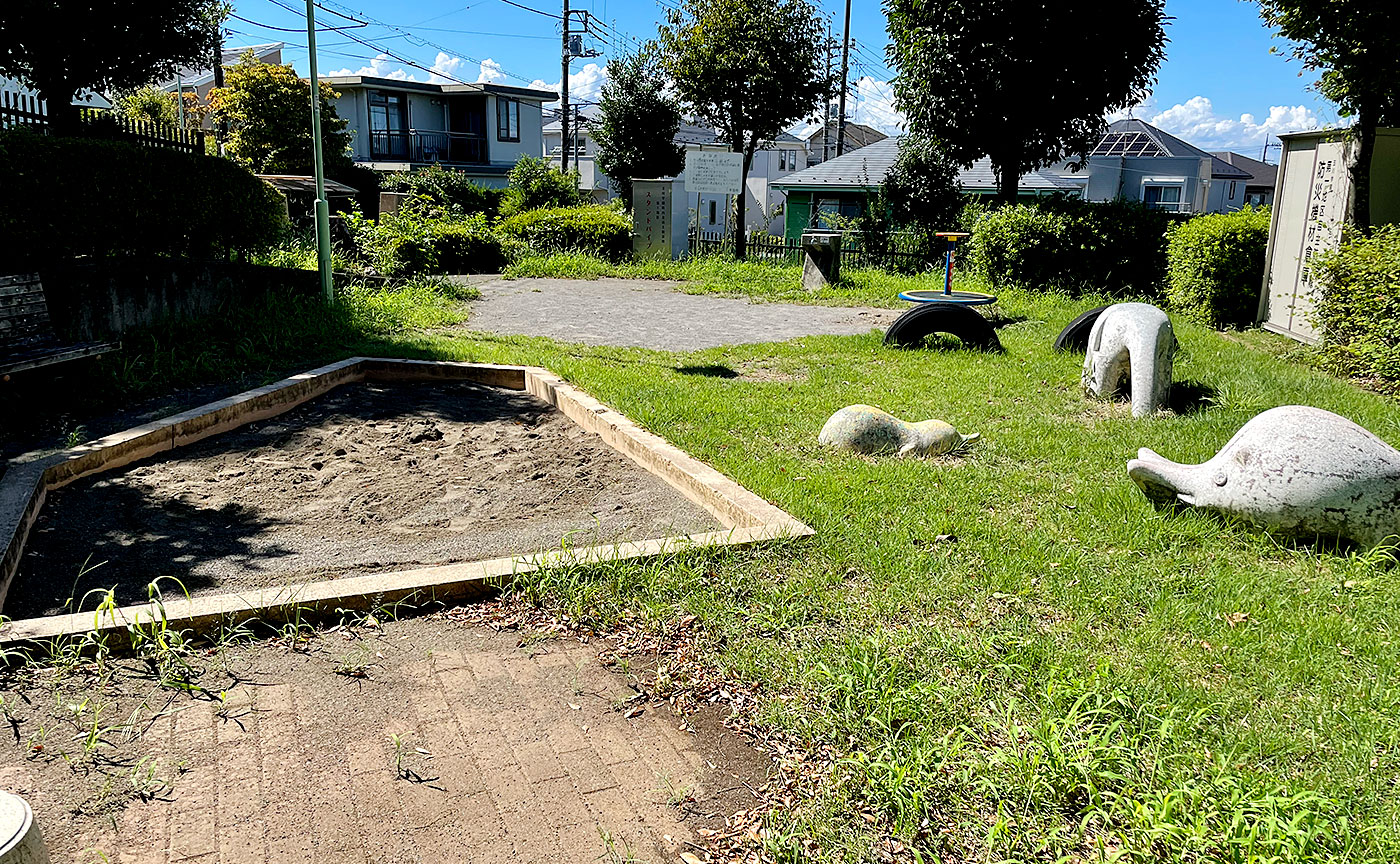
(1024, 82)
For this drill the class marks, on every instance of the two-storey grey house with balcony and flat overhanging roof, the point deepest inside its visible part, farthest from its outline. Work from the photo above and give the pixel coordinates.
(479, 130)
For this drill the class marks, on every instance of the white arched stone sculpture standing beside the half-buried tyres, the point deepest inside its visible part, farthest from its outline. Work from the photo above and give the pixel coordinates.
(1133, 344)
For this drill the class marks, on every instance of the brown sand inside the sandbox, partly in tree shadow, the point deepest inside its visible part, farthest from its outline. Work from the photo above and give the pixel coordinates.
(366, 478)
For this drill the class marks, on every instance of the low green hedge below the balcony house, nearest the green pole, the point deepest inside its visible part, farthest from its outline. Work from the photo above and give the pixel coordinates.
(407, 246)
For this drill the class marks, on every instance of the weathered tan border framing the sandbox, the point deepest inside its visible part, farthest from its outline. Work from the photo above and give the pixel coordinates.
(747, 519)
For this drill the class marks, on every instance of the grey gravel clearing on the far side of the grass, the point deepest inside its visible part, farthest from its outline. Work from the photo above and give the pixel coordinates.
(652, 314)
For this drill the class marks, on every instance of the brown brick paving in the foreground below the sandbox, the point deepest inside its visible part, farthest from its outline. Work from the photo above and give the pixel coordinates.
(304, 771)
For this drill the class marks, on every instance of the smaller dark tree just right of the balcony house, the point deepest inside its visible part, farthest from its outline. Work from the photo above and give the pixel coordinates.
(638, 123)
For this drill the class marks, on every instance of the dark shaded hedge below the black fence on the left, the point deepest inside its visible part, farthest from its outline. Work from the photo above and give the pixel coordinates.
(66, 198)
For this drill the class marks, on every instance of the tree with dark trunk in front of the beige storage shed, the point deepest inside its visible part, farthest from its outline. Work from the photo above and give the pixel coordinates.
(1356, 46)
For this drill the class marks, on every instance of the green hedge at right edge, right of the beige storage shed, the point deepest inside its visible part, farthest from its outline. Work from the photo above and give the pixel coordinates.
(1360, 307)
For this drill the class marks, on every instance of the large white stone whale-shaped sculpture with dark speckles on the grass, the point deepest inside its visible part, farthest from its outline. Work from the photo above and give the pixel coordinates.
(1296, 470)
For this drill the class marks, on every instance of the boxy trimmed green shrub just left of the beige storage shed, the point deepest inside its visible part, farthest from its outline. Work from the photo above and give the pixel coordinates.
(1216, 267)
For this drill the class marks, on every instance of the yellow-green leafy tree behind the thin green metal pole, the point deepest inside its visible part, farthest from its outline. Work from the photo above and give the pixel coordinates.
(268, 111)
